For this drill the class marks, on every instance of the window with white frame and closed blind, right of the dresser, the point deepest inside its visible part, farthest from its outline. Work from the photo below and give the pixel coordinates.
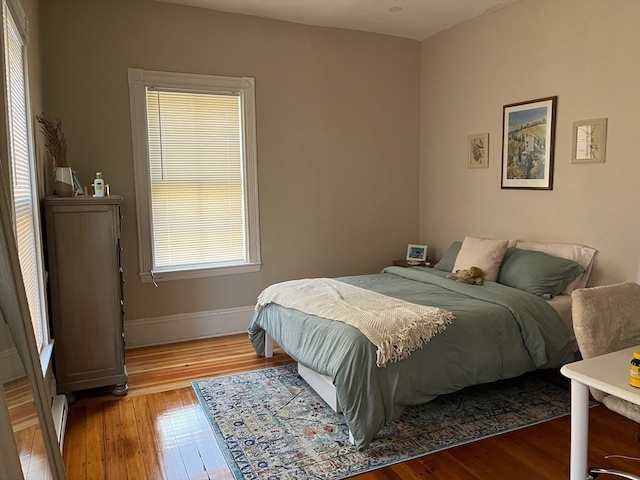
(196, 174)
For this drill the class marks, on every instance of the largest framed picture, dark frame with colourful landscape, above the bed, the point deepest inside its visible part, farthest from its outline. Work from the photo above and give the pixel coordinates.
(528, 132)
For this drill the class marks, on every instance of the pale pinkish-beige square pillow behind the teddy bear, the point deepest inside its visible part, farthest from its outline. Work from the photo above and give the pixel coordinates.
(485, 253)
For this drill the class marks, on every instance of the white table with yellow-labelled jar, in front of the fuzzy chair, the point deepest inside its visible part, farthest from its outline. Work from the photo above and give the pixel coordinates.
(609, 373)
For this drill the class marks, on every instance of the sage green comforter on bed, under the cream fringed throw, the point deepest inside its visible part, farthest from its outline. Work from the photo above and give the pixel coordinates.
(498, 332)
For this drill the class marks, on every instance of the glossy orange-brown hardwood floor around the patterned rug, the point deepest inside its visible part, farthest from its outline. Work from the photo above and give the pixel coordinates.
(158, 430)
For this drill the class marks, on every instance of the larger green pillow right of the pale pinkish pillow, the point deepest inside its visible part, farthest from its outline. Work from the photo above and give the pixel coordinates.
(537, 272)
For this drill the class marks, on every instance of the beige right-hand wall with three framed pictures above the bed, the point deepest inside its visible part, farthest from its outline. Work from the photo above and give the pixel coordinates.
(588, 54)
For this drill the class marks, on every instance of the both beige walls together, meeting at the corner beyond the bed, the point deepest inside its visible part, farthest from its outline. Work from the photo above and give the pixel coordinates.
(346, 119)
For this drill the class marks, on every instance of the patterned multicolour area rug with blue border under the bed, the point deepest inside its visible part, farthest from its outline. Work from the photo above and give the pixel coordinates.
(271, 425)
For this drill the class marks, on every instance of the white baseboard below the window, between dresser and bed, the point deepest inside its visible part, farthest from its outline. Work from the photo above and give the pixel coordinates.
(186, 326)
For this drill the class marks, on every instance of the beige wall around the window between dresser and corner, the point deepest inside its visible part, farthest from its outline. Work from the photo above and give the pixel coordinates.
(338, 133)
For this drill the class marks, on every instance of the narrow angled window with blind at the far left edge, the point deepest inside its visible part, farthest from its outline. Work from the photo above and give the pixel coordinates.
(23, 198)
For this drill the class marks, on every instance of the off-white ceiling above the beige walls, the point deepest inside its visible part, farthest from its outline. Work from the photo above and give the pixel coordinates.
(415, 19)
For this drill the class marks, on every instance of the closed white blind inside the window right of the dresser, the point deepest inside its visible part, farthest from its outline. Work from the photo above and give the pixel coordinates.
(195, 160)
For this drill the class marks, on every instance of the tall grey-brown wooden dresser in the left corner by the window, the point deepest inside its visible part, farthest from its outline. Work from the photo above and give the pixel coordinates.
(85, 278)
